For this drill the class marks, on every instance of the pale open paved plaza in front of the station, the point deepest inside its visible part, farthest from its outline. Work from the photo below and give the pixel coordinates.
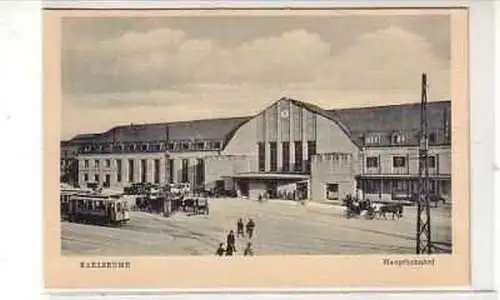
(282, 227)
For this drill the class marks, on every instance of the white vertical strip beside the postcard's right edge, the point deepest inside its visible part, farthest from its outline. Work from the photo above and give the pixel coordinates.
(481, 58)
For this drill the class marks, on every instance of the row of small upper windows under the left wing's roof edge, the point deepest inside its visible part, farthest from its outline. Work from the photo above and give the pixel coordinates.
(146, 147)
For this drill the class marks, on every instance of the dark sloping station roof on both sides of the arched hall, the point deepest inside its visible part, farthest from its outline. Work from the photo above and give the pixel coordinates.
(355, 122)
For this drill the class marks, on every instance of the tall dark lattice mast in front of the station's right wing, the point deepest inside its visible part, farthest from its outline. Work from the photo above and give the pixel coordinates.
(423, 205)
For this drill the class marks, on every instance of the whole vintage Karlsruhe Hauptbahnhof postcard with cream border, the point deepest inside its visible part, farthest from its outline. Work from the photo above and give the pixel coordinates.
(256, 148)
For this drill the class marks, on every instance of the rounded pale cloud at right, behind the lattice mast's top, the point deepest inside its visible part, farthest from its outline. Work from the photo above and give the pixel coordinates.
(388, 59)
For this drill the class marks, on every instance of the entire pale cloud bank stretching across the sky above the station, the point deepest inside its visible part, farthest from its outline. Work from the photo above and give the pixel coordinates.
(163, 74)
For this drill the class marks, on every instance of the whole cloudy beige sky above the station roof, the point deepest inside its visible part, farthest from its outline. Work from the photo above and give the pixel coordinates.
(122, 70)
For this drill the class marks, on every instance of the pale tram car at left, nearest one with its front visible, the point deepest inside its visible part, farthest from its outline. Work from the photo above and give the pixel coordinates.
(94, 208)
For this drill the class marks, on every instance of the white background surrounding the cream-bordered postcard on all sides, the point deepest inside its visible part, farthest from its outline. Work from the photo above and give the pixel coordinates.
(20, 124)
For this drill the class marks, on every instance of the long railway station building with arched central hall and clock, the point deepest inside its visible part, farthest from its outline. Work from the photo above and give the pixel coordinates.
(289, 148)
